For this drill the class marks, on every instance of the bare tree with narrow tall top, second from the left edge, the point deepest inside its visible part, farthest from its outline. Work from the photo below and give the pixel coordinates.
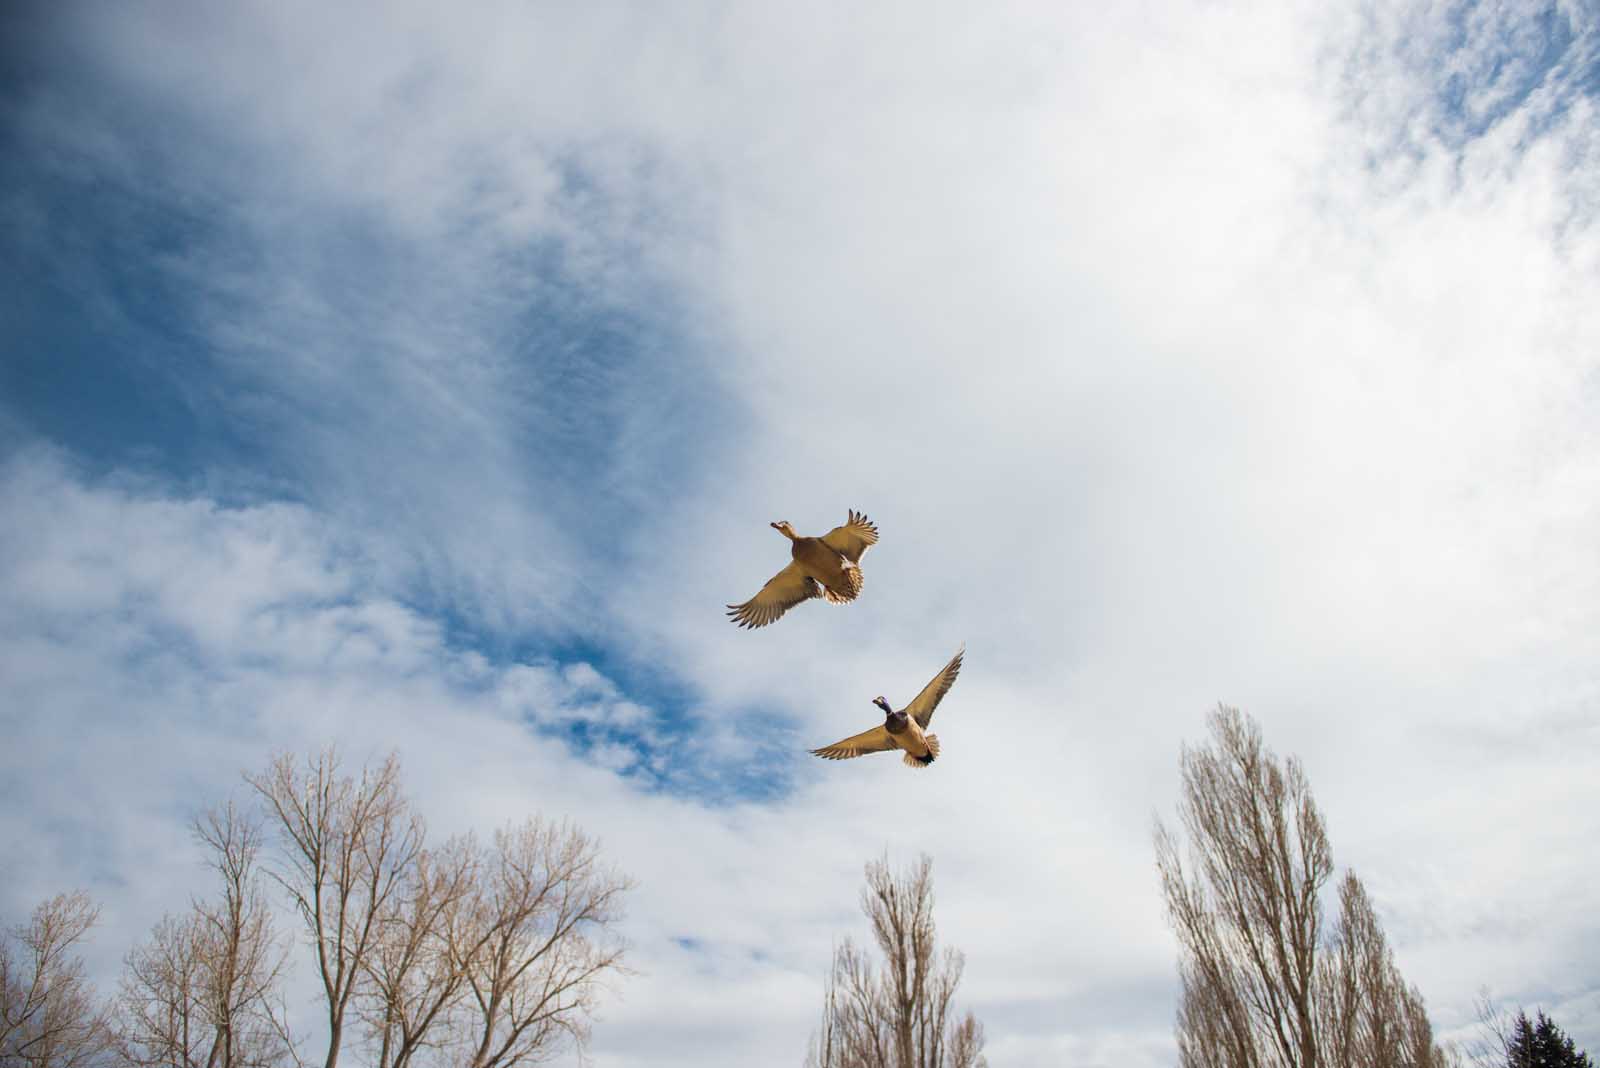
(201, 994)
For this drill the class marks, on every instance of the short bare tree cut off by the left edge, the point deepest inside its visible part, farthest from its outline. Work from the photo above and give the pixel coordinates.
(49, 1013)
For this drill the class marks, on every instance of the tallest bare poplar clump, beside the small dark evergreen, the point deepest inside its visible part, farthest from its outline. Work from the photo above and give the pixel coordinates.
(1263, 984)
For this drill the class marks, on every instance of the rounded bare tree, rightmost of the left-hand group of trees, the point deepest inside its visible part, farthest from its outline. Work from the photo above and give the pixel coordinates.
(538, 942)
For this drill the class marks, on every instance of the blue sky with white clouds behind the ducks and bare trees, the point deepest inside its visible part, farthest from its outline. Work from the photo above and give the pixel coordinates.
(425, 378)
